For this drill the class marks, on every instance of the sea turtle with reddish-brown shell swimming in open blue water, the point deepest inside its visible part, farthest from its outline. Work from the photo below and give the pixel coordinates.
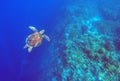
(35, 39)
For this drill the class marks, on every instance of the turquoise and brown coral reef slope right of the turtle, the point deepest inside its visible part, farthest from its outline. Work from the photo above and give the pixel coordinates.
(84, 48)
